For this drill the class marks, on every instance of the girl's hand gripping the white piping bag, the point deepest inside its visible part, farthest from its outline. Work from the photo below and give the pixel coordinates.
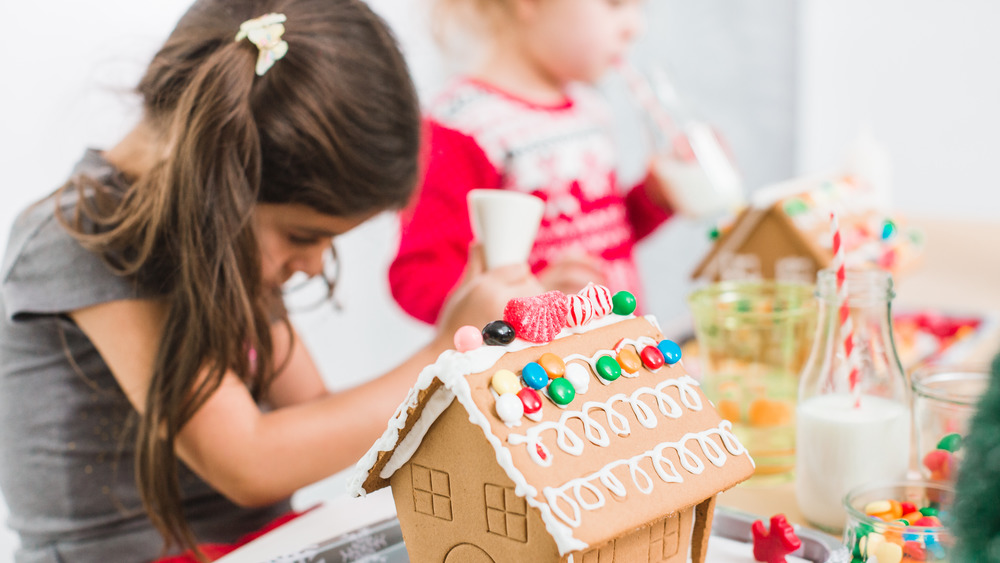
(483, 294)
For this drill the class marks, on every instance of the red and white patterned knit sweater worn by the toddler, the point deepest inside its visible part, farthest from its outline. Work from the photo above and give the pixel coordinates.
(479, 137)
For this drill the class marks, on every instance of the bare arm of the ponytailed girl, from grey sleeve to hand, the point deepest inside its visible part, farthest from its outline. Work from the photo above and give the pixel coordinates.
(255, 457)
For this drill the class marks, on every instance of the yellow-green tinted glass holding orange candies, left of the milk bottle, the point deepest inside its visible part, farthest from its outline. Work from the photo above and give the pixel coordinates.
(753, 339)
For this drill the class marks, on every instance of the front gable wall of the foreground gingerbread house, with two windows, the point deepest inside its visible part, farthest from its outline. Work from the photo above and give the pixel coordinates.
(455, 504)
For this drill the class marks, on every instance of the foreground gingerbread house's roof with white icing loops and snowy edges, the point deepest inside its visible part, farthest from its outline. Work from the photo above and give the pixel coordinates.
(620, 455)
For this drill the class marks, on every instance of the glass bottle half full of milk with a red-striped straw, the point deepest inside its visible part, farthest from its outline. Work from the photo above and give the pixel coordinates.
(849, 435)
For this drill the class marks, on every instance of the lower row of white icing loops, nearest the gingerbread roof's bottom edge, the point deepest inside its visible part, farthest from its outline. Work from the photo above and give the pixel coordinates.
(584, 493)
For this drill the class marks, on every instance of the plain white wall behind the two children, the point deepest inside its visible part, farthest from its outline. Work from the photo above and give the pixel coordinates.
(789, 83)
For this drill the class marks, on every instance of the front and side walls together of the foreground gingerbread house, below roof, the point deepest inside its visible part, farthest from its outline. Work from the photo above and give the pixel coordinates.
(456, 505)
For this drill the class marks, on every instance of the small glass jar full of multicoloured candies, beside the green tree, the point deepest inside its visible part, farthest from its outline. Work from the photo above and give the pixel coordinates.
(866, 536)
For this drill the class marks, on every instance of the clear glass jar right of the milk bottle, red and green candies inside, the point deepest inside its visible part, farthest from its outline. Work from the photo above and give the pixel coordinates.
(944, 400)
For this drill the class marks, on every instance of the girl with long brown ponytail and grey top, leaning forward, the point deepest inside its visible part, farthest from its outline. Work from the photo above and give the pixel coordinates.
(151, 386)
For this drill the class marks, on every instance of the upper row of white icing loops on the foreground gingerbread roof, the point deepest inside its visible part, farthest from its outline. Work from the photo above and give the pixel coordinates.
(570, 442)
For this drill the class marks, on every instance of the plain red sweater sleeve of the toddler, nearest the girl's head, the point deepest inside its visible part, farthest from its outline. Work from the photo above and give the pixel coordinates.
(434, 231)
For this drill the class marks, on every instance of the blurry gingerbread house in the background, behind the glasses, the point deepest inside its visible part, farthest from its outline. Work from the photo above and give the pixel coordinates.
(785, 233)
